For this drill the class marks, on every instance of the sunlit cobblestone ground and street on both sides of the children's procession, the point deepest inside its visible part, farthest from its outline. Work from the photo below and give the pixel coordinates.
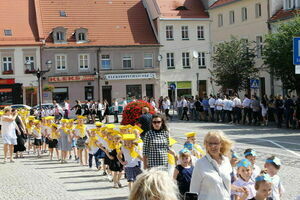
(32, 178)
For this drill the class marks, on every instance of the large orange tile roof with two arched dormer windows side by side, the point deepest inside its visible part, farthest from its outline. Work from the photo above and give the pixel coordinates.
(109, 22)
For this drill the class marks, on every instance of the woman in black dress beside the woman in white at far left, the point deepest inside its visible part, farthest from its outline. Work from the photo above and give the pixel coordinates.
(21, 135)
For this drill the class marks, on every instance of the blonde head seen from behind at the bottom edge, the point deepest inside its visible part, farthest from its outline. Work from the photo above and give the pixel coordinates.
(154, 184)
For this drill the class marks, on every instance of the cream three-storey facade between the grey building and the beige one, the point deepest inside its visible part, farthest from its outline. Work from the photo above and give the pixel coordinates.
(178, 46)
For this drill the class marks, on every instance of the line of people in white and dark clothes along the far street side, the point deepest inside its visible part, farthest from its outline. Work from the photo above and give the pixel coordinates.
(231, 109)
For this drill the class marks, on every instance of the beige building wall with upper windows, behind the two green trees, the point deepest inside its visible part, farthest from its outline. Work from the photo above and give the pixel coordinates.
(249, 29)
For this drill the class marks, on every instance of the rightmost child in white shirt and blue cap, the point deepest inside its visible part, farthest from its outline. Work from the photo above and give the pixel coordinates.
(273, 165)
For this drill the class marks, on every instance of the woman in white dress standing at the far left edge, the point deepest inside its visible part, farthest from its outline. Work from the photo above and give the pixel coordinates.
(8, 131)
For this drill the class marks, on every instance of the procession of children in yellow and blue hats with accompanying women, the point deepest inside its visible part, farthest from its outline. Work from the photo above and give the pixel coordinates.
(144, 152)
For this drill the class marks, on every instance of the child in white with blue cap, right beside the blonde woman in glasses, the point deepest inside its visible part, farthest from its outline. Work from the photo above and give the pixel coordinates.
(244, 170)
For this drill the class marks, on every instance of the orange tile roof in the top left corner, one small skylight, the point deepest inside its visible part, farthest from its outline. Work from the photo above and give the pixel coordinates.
(19, 17)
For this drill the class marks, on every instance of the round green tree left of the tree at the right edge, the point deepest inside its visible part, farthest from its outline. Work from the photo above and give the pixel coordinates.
(234, 64)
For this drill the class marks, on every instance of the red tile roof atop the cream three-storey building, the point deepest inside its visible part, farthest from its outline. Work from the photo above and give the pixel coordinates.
(195, 9)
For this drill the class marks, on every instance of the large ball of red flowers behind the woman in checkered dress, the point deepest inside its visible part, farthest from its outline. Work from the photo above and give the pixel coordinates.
(133, 111)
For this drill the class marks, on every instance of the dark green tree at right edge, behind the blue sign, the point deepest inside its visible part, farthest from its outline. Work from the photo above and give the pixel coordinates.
(278, 54)
